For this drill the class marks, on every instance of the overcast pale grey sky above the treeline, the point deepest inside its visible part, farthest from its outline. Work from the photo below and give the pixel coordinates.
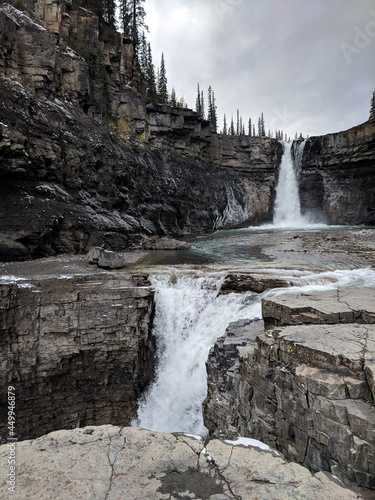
(309, 65)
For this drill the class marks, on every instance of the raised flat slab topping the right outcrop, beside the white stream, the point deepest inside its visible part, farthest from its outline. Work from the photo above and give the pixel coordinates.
(346, 305)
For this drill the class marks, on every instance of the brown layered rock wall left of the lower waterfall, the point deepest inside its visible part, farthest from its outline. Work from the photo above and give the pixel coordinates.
(78, 350)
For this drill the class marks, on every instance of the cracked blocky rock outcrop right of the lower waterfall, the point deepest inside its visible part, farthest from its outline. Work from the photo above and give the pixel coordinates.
(304, 383)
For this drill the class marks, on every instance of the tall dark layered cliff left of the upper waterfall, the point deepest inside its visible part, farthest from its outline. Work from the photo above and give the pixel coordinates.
(69, 183)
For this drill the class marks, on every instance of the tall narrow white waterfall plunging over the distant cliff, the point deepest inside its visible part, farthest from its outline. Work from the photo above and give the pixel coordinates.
(287, 212)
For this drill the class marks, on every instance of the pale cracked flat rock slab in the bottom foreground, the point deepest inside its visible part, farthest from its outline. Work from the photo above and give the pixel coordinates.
(115, 463)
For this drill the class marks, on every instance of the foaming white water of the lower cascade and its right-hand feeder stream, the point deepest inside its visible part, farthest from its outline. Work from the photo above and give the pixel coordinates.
(189, 318)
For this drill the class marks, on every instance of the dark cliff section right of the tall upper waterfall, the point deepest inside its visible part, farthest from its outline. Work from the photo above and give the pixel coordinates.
(337, 173)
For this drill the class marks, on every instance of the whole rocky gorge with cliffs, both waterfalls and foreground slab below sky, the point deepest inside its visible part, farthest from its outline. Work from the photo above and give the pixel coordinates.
(95, 353)
